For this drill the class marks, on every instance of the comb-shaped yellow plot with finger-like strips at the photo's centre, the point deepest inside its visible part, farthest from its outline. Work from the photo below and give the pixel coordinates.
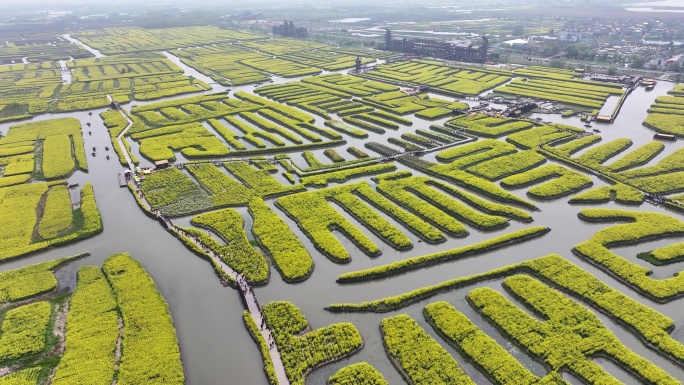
(424, 206)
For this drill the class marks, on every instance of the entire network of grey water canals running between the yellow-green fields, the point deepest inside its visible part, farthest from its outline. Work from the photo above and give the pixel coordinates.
(215, 347)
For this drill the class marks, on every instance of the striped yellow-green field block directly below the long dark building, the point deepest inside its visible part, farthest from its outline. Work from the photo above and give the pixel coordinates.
(440, 78)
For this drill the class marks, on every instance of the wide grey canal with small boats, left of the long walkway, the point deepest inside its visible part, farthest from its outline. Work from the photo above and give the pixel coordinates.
(215, 345)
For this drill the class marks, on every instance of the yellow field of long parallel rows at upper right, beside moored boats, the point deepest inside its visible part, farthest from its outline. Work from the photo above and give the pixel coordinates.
(582, 93)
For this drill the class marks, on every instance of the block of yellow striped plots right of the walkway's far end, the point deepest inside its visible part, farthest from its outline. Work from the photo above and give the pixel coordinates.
(249, 124)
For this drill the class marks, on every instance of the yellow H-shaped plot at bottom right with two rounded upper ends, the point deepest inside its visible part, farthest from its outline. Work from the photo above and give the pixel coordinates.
(570, 331)
